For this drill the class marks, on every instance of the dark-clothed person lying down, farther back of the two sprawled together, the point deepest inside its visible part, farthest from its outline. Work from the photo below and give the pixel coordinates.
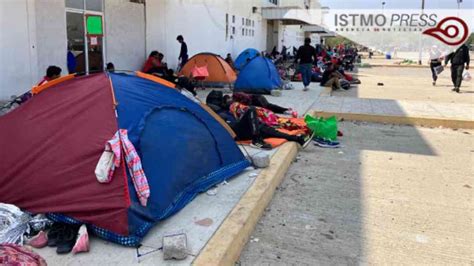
(259, 101)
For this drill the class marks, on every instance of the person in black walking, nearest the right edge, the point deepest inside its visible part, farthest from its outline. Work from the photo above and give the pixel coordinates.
(458, 59)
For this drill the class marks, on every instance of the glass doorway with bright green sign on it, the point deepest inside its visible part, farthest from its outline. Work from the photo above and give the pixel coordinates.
(85, 36)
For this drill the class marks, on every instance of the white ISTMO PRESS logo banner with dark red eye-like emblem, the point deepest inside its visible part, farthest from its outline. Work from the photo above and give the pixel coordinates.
(402, 29)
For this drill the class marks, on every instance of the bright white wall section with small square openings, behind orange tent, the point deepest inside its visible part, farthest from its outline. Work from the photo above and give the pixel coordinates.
(203, 26)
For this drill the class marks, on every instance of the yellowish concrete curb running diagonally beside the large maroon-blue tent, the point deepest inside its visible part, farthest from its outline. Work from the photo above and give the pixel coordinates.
(226, 244)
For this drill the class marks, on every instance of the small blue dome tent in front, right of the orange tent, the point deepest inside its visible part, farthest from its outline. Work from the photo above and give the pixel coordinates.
(258, 76)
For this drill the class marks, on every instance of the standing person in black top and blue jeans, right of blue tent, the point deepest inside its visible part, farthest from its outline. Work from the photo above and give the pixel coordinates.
(306, 55)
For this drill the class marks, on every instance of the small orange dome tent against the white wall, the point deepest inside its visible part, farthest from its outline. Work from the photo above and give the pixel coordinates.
(219, 70)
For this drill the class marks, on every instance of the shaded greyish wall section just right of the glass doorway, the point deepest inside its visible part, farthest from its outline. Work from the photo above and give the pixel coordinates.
(125, 34)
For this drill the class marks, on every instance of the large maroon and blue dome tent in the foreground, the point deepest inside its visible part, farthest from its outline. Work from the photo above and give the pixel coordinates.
(183, 149)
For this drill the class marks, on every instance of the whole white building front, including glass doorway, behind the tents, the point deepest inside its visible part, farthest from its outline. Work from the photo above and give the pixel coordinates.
(39, 33)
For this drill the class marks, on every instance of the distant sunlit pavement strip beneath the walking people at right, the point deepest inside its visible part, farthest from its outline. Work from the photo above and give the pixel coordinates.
(402, 83)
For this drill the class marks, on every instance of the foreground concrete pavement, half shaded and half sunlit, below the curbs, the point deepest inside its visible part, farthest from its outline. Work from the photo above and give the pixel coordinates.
(390, 195)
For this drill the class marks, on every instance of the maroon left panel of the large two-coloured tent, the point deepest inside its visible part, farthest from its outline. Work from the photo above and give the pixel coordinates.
(50, 146)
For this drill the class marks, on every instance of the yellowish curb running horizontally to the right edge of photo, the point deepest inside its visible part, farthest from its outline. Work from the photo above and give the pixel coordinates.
(402, 120)
